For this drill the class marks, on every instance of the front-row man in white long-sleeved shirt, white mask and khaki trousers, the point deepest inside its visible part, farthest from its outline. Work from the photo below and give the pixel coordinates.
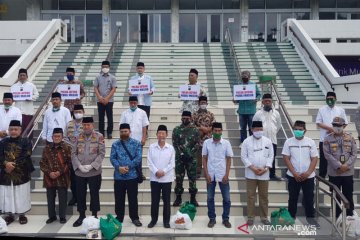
(257, 155)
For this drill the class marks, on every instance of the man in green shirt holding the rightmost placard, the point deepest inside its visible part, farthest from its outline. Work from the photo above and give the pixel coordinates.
(246, 94)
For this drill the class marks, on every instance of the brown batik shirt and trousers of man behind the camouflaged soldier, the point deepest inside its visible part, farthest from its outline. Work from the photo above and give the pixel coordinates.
(202, 118)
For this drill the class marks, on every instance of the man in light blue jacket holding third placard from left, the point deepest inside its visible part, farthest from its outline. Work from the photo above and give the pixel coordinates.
(142, 86)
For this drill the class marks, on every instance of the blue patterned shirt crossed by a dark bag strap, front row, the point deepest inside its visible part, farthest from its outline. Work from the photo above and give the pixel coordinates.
(119, 158)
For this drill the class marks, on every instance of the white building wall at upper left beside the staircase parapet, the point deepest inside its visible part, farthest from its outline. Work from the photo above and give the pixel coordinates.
(17, 36)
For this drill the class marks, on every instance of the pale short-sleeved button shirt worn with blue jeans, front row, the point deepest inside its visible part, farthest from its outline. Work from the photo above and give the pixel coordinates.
(216, 153)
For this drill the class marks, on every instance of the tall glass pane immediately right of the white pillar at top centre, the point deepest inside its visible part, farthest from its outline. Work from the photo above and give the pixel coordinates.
(187, 28)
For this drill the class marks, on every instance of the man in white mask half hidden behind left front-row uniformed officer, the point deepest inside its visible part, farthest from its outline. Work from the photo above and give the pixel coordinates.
(73, 129)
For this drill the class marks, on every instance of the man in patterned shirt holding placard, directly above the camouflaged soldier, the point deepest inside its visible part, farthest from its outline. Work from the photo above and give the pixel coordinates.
(191, 92)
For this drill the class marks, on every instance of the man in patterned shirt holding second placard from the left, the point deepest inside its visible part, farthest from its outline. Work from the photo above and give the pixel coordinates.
(77, 94)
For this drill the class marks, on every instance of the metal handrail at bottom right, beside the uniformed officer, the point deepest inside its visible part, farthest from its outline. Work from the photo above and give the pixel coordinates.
(333, 194)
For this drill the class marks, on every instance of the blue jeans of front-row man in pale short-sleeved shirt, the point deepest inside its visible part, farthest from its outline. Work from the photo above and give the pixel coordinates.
(225, 192)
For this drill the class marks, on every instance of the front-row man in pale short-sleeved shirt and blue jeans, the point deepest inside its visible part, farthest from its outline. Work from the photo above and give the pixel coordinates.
(217, 154)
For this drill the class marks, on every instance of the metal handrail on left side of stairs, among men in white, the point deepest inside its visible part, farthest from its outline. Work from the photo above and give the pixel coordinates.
(39, 113)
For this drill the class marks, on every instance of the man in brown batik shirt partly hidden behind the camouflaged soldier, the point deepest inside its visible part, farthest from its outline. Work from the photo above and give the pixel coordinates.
(203, 120)
